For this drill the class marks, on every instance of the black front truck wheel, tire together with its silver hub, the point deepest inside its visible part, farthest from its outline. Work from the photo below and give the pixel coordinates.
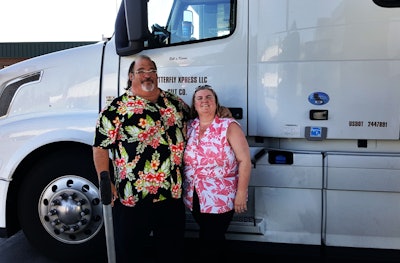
(59, 208)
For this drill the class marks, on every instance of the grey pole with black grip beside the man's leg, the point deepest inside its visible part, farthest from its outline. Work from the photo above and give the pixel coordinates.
(106, 195)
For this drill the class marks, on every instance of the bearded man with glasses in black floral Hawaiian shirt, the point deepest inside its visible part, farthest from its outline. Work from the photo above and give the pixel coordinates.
(145, 130)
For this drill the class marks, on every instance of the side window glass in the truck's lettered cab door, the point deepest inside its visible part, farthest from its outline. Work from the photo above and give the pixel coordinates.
(181, 21)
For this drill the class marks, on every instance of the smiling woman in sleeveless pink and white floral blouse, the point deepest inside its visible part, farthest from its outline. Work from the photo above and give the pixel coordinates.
(217, 168)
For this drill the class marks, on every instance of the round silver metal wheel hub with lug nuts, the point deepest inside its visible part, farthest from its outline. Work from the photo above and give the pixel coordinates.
(70, 209)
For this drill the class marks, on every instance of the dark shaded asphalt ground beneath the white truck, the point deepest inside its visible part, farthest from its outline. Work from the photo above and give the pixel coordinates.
(18, 249)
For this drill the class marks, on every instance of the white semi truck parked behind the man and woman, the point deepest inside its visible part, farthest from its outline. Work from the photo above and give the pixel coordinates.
(314, 84)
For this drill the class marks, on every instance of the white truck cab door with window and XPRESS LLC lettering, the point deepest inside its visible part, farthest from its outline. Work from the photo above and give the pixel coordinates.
(199, 43)
